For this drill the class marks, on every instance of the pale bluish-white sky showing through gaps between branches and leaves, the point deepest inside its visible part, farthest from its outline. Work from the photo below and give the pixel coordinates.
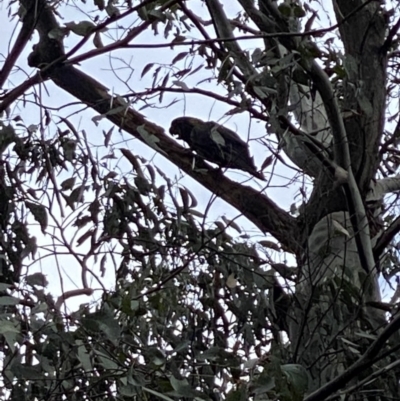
(121, 72)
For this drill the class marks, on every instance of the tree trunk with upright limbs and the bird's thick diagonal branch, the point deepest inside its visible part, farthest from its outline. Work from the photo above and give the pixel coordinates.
(330, 322)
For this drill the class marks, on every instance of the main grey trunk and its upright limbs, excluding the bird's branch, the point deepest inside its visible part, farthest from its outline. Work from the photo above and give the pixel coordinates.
(329, 319)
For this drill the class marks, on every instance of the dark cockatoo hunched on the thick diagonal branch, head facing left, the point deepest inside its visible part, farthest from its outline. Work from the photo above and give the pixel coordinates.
(215, 143)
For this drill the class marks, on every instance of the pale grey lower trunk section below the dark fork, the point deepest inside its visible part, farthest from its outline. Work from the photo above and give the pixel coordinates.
(330, 325)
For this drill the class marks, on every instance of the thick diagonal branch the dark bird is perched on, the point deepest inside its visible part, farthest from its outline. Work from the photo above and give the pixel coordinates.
(257, 207)
